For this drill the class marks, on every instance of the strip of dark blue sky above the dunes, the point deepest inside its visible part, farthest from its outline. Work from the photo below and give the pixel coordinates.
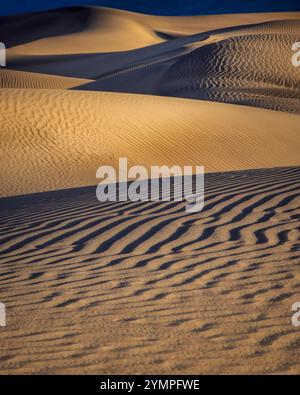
(160, 7)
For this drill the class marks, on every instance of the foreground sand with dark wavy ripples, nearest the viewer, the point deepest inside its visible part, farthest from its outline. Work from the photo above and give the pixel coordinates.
(129, 288)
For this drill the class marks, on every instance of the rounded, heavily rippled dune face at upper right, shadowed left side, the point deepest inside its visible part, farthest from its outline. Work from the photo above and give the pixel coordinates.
(250, 66)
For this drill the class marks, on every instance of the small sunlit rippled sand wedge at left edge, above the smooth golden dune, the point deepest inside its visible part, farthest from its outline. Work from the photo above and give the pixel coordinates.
(21, 79)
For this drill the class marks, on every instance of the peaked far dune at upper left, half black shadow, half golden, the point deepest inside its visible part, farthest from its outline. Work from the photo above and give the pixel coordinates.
(75, 30)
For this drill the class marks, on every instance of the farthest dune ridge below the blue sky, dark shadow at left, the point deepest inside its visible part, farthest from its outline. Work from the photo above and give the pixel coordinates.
(94, 29)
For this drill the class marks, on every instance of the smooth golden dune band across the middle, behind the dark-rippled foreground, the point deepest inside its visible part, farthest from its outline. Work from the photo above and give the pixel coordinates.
(64, 136)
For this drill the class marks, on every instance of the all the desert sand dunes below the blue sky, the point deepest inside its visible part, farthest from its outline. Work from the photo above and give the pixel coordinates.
(144, 287)
